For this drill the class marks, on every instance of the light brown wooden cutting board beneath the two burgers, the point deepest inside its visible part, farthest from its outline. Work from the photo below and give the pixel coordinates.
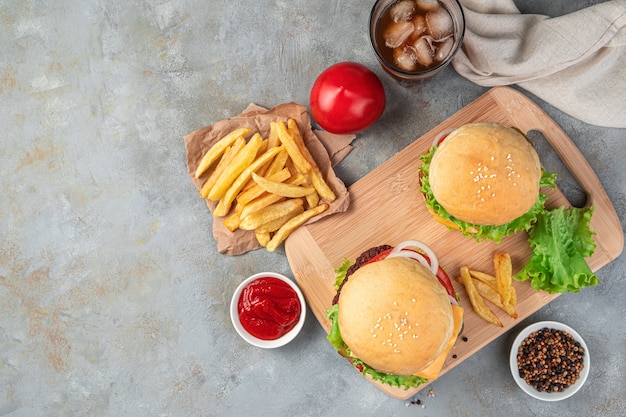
(386, 208)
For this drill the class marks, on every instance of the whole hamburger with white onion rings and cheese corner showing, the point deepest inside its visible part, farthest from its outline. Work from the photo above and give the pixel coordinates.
(395, 316)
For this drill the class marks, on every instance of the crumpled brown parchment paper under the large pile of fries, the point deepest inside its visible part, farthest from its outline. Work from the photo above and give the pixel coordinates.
(326, 148)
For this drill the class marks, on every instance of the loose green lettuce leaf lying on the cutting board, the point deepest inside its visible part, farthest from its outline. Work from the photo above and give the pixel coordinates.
(561, 239)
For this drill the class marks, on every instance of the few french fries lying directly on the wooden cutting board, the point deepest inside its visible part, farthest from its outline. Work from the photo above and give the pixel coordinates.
(497, 289)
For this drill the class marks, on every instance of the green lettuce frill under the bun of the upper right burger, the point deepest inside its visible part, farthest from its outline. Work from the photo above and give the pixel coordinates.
(481, 233)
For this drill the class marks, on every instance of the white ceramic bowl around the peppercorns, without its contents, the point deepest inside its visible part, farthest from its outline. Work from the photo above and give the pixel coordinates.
(548, 396)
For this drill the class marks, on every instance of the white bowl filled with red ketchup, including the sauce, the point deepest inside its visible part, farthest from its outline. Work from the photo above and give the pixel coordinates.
(268, 310)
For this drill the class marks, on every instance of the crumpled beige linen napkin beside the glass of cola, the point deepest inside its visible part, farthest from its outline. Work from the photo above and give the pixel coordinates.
(576, 62)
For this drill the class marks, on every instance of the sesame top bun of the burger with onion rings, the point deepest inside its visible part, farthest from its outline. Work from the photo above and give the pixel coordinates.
(395, 316)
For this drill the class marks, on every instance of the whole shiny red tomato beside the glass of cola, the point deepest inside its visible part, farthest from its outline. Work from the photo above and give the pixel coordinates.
(347, 98)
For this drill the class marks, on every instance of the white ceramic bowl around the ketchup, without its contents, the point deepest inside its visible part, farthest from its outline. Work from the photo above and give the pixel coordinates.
(255, 341)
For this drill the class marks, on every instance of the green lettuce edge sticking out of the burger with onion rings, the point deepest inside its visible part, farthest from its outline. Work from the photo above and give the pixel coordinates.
(334, 337)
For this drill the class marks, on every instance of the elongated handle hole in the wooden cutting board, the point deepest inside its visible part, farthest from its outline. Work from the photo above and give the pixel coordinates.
(552, 162)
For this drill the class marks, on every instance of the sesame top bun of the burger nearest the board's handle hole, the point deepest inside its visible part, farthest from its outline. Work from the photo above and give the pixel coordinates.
(485, 174)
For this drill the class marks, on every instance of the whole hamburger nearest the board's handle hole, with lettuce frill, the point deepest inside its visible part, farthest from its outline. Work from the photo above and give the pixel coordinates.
(484, 179)
